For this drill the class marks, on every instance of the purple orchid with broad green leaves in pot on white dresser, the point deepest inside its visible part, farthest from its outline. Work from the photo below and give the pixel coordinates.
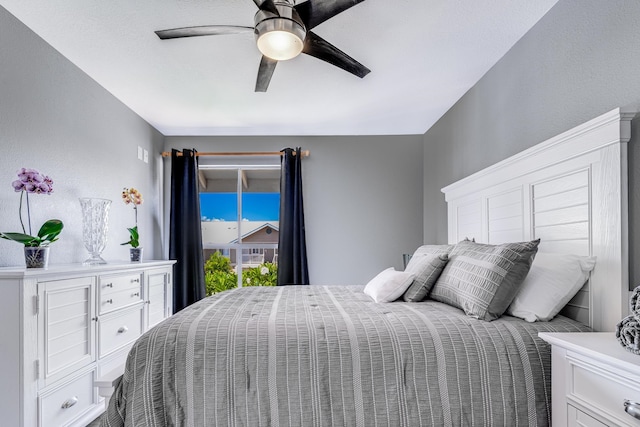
(36, 248)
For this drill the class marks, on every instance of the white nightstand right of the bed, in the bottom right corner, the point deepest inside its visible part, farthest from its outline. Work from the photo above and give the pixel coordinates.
(592, 377)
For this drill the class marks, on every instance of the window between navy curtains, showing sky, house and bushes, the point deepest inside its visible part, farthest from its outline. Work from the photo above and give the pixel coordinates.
(240, 207)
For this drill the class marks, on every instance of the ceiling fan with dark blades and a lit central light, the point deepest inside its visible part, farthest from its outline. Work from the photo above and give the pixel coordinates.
(283, 31)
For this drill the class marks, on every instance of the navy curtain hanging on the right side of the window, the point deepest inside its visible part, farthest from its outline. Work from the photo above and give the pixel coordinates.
(292, 245)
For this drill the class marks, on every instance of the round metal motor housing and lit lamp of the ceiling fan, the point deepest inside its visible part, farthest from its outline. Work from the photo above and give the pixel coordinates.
(280, 37)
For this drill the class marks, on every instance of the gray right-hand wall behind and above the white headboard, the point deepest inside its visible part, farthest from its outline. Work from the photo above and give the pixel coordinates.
(581, 60)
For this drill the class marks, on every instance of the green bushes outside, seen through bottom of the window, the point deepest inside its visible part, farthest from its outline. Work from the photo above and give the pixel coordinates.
(219, 276)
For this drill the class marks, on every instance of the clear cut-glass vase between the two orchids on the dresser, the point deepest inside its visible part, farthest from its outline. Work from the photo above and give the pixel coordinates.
(95, 218)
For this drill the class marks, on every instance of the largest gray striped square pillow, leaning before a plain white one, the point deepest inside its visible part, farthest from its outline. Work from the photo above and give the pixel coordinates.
(483, 279)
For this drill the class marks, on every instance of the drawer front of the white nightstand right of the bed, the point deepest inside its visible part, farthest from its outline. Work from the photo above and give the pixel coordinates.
(595, 385)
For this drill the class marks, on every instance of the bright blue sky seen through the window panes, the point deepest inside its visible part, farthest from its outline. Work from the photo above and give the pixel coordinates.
(255, 206)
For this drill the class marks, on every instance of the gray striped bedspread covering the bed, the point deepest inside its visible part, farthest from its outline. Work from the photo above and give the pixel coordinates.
(330, 356)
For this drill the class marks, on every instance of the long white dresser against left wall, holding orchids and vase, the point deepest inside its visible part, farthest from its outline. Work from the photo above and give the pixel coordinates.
(64, 329)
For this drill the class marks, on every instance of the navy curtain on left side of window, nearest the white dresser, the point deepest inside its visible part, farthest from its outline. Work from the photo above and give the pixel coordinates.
(185, 234)
